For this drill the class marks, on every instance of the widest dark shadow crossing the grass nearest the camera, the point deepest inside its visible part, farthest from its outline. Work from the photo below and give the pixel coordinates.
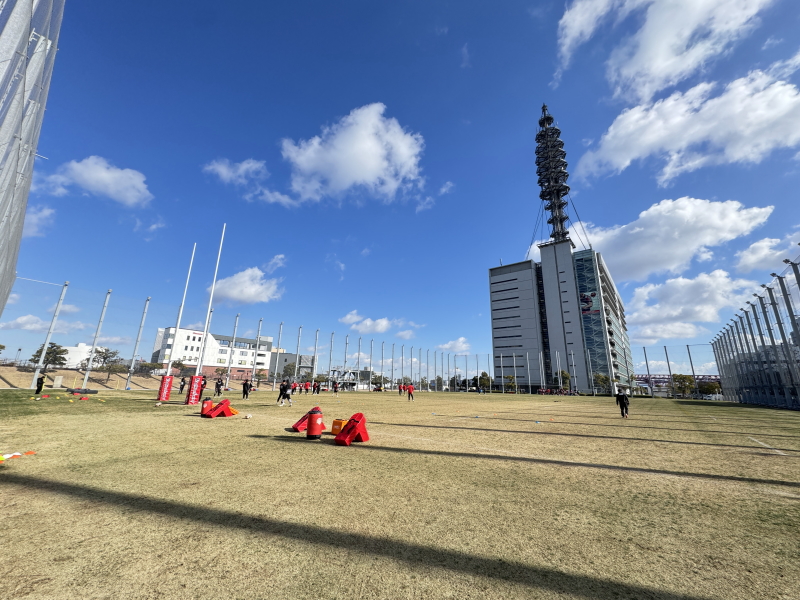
(415, 555)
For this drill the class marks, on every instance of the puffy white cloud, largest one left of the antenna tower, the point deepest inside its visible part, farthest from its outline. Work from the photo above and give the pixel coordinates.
(363, 151)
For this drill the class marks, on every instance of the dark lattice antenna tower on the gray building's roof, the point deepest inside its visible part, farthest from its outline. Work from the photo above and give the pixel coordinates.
(551, 167)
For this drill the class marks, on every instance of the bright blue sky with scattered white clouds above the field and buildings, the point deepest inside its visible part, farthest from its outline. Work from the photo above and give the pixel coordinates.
(379, 158)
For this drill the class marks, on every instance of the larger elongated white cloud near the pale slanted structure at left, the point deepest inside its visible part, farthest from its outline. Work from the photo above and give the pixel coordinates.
(96, 176)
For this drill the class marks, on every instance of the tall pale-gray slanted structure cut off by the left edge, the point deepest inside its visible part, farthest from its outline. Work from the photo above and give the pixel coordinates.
(28, 42)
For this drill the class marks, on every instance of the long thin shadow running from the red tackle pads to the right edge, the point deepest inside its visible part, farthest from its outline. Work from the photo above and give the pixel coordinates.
(551, 461)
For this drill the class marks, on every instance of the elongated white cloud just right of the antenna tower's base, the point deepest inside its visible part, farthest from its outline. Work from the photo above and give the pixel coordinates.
(669, 235)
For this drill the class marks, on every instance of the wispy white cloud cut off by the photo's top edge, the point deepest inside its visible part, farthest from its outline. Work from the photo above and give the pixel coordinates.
(676, 39)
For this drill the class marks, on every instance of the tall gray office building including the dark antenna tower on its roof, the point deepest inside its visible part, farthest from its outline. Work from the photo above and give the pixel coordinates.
(562, 314)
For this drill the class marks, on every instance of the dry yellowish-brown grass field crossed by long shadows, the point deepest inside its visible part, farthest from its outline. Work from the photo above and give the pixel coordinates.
(455, 496)
